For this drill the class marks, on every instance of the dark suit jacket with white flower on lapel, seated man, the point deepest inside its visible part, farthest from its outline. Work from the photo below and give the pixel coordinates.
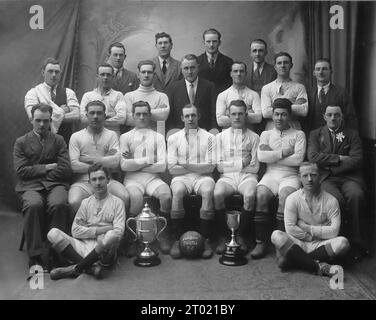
(322, 151)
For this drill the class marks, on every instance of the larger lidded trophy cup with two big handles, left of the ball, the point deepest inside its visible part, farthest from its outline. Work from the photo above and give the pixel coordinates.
(146, 232)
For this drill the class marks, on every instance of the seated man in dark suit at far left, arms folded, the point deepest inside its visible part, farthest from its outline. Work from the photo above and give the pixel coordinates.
(41, 162)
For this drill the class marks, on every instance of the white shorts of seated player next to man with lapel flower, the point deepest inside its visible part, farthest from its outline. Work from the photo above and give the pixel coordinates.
(275, 181)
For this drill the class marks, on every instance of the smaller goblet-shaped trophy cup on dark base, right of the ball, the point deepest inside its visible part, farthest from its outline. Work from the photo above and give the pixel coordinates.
(233, 256)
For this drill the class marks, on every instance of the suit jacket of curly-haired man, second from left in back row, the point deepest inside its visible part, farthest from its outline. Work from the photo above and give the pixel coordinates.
(161, 82)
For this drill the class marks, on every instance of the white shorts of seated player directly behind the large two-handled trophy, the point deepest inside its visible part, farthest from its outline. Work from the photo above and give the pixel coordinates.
(146, 183)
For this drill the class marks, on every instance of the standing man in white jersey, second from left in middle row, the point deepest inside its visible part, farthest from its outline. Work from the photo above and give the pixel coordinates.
(112, 99)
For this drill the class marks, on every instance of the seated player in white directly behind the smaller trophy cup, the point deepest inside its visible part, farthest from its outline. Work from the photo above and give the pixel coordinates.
(238, 164)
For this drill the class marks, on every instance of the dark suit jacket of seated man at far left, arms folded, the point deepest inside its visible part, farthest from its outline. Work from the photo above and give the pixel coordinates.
(30, 158)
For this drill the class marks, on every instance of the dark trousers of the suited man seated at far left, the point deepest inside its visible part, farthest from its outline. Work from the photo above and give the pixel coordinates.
(42, 211)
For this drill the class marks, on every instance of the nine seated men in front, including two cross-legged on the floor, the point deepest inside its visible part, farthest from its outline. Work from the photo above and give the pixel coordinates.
(192, 154)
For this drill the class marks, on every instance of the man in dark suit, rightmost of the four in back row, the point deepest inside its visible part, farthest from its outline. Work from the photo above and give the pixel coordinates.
(261, 72)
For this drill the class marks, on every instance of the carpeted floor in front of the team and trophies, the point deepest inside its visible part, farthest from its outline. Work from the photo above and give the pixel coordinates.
(175, 279)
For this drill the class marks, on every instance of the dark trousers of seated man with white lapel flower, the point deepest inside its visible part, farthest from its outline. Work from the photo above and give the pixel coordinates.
(350, 196)
